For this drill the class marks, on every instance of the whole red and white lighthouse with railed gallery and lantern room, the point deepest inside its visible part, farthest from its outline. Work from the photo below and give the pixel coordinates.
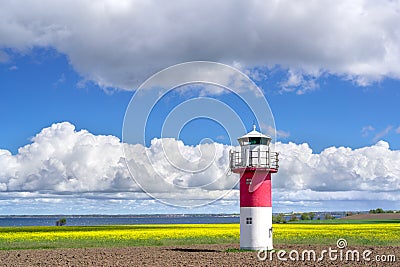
(255, 163)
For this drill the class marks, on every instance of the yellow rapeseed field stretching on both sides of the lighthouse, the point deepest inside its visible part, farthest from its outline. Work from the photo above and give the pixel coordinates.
(136, 235)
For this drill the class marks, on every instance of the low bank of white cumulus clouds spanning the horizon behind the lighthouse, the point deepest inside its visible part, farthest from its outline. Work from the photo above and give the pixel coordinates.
(62, 163)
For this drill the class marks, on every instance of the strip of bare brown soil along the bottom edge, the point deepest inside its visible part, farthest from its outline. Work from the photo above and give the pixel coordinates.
(195, 255)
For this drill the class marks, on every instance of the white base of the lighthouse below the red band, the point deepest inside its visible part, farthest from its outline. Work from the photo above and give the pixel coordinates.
(256, 228)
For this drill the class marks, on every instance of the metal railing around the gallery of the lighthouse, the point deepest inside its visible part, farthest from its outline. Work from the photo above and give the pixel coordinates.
(260, 159)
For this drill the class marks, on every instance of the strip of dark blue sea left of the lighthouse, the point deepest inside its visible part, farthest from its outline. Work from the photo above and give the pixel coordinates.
(91, 220)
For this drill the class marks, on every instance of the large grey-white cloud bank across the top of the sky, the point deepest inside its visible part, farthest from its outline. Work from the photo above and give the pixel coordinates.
(121, 43)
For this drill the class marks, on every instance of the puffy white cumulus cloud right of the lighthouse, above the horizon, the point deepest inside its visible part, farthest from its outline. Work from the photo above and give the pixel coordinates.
(338, 172)
